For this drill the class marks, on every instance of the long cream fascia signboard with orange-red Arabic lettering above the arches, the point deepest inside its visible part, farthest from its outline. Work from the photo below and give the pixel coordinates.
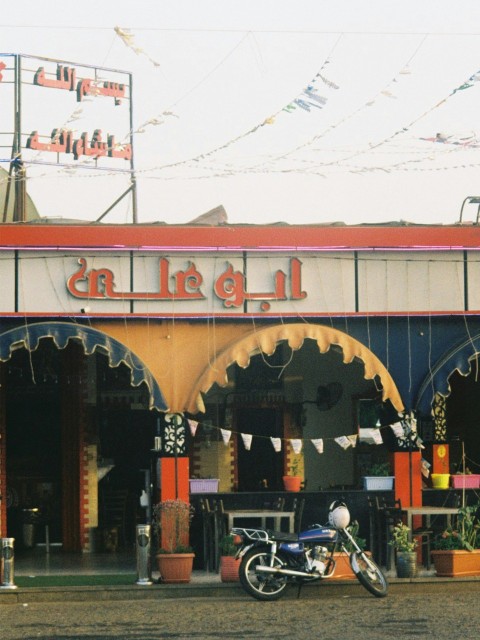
(235, 284)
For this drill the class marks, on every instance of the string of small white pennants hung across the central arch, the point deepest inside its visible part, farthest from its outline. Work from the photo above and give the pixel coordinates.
(405, 431)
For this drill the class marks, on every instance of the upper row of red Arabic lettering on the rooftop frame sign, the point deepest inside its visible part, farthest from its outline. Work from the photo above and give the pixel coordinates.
(66, 78)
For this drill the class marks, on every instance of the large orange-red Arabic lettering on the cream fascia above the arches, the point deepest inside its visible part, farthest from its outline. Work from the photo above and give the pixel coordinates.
(229, 286)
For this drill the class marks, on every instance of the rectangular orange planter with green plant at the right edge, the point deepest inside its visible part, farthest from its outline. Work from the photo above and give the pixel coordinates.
(457, 549)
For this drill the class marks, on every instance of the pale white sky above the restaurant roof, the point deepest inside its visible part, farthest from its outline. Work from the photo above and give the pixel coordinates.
(318, 111)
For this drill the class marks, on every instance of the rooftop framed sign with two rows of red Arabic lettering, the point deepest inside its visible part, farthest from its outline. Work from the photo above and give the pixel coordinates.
(57, 126)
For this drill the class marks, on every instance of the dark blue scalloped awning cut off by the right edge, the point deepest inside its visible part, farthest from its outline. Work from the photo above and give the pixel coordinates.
(438, 379)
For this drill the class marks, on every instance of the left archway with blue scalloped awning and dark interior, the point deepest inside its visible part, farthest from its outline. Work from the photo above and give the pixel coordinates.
(75, 408)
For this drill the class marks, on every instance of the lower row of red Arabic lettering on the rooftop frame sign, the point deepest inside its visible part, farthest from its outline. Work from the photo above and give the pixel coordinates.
(61, 141)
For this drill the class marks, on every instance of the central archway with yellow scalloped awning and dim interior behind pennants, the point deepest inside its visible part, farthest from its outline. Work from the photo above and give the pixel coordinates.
(309, 387)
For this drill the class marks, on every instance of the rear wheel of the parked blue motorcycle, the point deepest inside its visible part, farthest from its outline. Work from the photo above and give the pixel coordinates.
(262, 586)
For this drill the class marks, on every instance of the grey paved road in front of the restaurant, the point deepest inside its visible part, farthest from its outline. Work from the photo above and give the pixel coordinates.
(413, 612)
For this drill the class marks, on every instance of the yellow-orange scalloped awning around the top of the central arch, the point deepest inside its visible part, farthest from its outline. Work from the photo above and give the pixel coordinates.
(265, 340)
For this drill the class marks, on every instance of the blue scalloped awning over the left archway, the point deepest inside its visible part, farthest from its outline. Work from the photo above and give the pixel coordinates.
(29, 336)
